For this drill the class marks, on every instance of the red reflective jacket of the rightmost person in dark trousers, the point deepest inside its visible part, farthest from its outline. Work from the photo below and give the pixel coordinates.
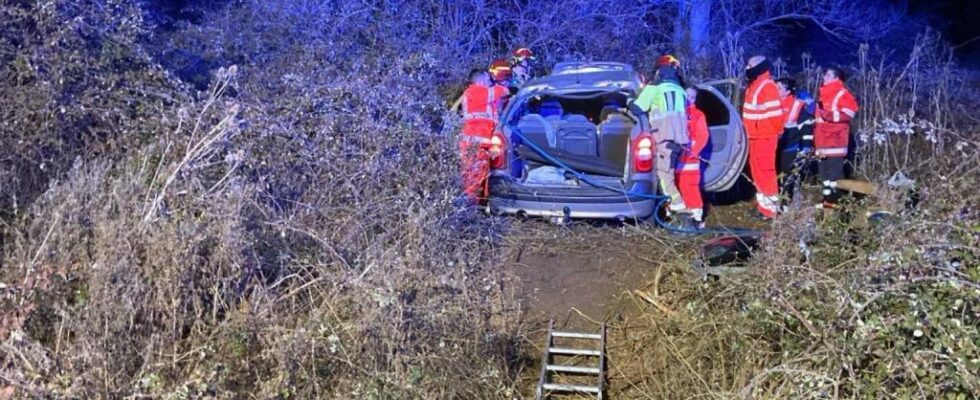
(837, 109)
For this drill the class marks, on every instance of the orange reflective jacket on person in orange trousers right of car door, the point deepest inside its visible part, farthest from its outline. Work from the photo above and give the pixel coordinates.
(762, 112)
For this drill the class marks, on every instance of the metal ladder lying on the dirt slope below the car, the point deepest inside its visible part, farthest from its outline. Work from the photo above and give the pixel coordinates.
(568, 350)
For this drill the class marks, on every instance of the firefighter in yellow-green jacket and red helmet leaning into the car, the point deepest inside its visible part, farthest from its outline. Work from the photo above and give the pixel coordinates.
(663, 101)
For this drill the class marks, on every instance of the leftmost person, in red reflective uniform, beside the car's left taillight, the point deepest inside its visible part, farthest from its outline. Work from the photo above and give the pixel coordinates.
(481, 104)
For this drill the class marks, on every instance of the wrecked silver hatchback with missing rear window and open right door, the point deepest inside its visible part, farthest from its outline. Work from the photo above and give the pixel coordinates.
(598, 156)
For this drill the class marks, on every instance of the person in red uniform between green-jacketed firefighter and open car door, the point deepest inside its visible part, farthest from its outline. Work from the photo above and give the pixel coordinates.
(689, 166)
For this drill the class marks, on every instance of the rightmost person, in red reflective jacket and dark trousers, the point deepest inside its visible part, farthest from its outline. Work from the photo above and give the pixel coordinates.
(835, 110)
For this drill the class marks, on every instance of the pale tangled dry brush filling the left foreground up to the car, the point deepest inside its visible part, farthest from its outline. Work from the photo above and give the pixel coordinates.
(288, 234)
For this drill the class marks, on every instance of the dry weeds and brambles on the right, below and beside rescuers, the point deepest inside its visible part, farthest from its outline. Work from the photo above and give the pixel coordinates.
(837, 307)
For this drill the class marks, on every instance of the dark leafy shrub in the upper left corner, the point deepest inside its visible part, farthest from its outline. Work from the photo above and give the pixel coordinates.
(75, 81)
